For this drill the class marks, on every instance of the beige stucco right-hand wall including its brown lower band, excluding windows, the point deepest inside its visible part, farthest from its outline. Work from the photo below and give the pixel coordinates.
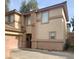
(56, 23)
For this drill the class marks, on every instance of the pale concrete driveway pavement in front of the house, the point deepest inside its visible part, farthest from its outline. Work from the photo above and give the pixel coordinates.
(38, 54)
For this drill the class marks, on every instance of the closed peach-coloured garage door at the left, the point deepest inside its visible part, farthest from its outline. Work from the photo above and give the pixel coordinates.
(11, 42)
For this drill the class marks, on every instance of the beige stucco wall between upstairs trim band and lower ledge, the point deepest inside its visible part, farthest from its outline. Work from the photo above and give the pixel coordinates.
(43, 30)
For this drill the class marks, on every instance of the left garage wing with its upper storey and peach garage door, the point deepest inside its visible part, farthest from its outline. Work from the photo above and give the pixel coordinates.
(13, 32)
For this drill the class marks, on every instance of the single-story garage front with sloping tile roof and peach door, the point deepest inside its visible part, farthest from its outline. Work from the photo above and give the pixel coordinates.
(12, 37)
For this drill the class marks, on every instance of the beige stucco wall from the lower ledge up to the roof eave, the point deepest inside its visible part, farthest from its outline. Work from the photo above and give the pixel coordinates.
(56, 23)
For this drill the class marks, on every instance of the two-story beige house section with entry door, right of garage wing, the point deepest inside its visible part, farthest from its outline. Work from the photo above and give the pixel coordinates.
(46, 28)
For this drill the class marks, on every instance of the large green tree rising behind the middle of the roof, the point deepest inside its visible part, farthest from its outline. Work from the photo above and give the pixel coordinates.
(31, 5)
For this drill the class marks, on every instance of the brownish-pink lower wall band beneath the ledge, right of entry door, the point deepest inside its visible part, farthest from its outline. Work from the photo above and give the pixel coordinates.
(48, 45)
